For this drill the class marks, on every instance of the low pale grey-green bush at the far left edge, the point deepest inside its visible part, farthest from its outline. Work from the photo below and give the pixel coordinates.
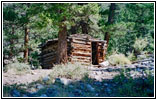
(17, 68)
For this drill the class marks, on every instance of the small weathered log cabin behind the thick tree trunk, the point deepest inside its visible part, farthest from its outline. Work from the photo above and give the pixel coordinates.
(80, 48)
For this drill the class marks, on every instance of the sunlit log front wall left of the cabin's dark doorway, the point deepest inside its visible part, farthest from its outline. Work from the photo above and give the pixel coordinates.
(81, 50)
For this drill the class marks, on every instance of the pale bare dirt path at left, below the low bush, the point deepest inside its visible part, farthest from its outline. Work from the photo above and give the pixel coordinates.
(35, 75)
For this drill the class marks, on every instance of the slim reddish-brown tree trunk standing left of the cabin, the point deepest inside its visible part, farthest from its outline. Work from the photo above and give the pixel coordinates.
(26, 38)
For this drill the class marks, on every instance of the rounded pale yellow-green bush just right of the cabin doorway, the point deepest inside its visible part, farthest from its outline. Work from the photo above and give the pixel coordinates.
(118, 59)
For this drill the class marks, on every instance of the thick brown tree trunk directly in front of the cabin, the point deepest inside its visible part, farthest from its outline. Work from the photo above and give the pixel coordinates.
(62, 44)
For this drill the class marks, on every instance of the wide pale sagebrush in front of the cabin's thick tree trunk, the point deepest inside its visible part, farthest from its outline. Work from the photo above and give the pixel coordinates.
(71, 71)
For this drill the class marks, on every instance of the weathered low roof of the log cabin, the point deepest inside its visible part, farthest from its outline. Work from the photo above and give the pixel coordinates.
(74, 36)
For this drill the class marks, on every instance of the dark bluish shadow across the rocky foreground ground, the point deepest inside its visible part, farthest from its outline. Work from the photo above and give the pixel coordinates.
(120, 86)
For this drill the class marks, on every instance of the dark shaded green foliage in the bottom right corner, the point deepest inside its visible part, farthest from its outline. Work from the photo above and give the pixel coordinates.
(138, 87)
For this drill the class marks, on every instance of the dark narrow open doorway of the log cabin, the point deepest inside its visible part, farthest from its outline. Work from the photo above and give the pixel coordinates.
(94, 53)
